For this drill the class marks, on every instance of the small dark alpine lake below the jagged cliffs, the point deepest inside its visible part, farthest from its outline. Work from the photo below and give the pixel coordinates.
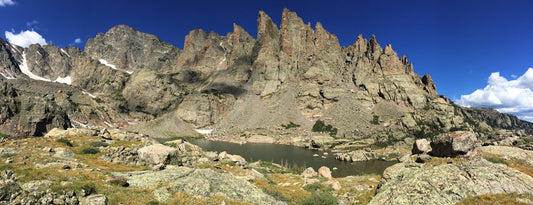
(276, 153)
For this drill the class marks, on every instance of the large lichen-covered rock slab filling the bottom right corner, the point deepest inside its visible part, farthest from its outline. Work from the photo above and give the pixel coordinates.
(406, 183)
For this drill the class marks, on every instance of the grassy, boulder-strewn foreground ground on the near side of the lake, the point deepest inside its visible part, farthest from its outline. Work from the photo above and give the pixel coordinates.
(97, 166)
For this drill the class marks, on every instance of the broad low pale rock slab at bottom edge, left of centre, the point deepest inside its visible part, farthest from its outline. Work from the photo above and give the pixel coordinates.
(199, 183)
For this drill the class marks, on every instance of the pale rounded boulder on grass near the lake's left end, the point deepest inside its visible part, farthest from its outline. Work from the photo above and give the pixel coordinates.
(156, 154)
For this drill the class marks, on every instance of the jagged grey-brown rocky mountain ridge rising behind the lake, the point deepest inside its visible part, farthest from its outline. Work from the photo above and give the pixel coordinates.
(239, 84)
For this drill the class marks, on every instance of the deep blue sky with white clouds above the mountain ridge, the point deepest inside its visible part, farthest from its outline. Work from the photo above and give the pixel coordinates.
(459, 43)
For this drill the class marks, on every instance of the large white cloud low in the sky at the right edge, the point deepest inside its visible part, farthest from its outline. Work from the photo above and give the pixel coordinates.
(507, 96)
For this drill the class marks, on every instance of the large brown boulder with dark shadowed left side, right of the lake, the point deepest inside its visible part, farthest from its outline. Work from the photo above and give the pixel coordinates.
(453, 144)
